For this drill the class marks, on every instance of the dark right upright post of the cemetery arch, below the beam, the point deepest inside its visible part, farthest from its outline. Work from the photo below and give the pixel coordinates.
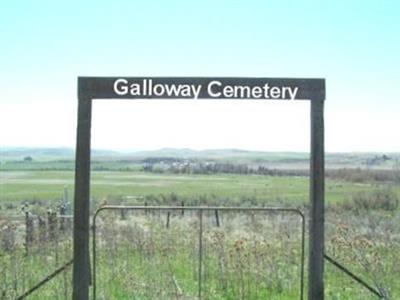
(317, 187)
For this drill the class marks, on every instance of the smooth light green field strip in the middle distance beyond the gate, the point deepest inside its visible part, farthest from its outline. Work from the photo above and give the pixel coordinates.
(48, 185)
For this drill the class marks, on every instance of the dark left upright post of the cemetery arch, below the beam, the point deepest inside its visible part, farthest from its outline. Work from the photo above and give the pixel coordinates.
(81, 270)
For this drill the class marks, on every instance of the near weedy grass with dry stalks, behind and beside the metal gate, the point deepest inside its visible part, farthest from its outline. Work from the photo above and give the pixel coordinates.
(247, 257)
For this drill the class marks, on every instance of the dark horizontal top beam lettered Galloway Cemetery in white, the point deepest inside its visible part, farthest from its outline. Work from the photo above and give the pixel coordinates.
(200, 88)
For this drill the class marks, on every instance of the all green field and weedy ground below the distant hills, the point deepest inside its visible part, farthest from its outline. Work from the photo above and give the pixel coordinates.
(150, 255)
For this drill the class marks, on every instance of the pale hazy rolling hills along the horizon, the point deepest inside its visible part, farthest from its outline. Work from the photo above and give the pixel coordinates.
(286, 159)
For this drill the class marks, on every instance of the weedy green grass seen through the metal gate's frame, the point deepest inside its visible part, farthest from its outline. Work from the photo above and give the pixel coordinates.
(145, 259)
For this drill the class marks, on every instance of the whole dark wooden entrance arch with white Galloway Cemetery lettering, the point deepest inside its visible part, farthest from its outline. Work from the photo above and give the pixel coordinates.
(195, 89)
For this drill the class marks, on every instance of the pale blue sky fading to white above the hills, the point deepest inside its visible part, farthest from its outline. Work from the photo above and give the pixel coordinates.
(355, 45)
